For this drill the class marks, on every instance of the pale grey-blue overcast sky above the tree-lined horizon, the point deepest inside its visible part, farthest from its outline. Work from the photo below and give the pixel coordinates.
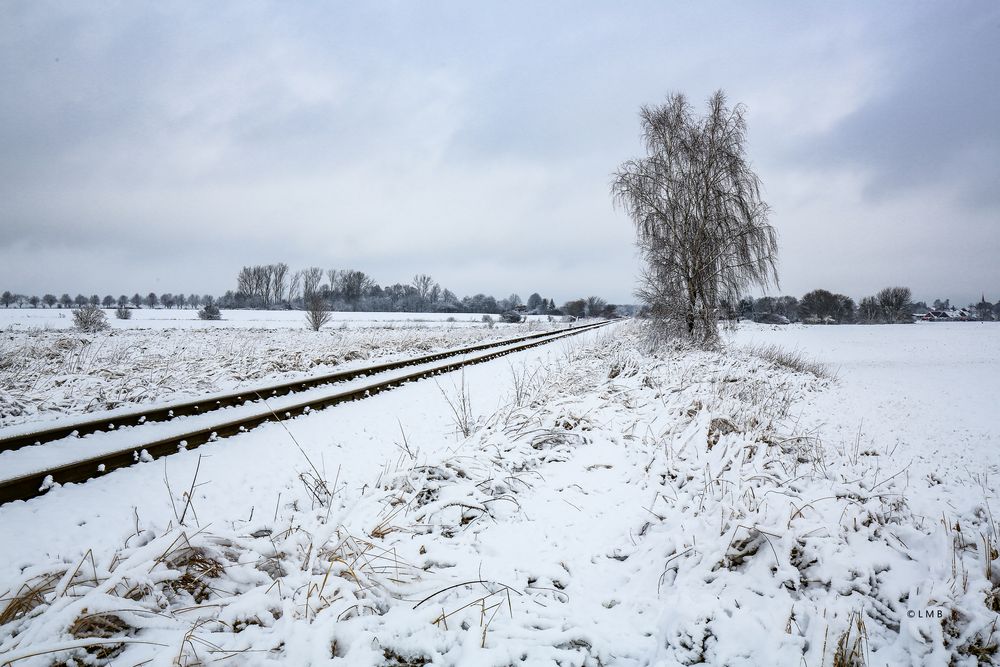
(161, 146)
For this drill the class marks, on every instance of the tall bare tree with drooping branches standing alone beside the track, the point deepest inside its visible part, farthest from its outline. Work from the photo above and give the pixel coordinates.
(701, 224)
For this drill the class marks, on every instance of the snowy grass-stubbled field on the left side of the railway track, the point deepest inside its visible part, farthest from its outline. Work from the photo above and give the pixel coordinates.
(53, 373)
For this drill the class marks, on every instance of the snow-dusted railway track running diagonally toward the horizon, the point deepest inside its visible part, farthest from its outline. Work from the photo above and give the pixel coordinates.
(30, 485)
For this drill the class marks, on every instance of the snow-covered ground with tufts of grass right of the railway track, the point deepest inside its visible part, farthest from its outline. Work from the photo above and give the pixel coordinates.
(610, 505)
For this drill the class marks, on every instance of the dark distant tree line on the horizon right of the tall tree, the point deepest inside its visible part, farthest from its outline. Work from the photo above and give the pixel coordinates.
(890, 305)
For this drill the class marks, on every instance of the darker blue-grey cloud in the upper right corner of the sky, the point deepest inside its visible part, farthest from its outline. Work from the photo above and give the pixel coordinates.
(935, 121)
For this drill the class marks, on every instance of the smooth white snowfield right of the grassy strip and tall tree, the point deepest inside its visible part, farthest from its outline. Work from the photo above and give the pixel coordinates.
(930, 390)
